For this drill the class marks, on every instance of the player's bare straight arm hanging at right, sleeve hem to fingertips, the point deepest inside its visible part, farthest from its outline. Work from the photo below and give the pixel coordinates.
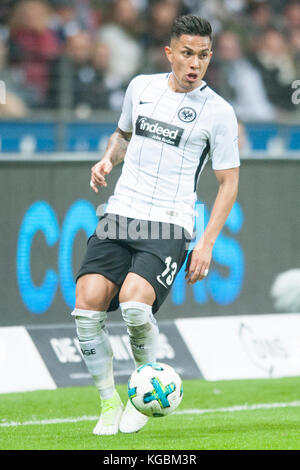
(200, 258)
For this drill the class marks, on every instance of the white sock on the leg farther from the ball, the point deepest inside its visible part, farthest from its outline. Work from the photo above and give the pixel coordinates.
(96, 349)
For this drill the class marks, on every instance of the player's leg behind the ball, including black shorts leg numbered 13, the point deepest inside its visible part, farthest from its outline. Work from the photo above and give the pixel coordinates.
(144, 290)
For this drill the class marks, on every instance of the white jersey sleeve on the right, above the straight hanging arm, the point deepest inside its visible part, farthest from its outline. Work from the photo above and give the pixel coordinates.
(224, 140)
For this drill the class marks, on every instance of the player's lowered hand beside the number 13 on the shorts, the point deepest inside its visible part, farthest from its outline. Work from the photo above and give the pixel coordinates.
(197, 265)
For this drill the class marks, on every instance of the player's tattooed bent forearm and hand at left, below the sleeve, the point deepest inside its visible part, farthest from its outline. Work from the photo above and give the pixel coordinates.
(113, 155)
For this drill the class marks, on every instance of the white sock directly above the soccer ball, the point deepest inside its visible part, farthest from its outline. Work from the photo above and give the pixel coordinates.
(143, 331)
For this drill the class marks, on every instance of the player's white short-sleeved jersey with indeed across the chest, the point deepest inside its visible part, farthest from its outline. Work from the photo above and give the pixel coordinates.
(173, 136)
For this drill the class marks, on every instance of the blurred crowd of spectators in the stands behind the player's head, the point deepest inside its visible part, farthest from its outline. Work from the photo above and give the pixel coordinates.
(80, 55)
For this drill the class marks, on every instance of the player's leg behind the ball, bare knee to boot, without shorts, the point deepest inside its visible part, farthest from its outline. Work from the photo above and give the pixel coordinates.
(136, 299)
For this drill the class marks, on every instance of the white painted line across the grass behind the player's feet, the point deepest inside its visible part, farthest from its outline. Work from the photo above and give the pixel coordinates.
(194, 411)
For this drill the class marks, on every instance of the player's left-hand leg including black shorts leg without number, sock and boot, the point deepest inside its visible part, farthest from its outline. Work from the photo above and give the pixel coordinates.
(102, 272)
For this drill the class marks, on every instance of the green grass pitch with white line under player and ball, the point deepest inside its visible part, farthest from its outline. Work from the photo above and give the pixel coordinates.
(25, 419)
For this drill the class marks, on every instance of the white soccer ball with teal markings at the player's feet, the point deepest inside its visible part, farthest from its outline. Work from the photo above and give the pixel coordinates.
(155, 389)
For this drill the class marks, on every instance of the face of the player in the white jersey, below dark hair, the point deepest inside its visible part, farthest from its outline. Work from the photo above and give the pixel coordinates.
(189, 56)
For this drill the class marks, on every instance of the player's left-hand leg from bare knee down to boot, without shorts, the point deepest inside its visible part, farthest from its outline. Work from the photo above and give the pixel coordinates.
(94, 293)
